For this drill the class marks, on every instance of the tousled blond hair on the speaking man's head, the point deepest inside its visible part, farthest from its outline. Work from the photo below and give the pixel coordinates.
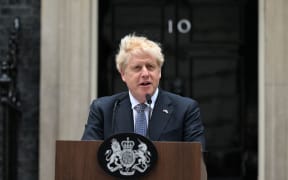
(137, 45)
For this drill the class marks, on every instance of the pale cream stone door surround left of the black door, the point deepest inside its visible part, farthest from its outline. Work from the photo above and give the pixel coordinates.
(68, 73)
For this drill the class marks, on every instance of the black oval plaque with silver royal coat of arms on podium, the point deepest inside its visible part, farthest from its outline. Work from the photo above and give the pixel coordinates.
(130, 155)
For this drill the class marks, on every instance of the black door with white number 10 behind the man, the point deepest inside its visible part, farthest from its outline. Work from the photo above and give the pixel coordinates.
(210, 52)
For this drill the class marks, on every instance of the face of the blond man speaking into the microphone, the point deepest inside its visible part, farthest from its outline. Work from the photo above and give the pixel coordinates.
(141, 75)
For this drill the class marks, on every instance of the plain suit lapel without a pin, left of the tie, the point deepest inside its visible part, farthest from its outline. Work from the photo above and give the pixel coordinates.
(124, 117)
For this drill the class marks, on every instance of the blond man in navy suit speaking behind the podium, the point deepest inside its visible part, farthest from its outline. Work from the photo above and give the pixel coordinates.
(169, 117)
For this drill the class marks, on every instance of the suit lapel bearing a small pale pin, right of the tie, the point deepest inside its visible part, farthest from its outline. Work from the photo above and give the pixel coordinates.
(160, 116)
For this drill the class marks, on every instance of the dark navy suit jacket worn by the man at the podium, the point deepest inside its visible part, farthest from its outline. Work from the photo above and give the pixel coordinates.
(174, 118)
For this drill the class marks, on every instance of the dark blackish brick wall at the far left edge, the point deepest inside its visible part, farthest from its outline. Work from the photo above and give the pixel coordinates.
(28, 80)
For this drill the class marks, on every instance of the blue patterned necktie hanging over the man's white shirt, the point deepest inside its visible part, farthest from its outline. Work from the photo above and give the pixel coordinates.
(140, 124)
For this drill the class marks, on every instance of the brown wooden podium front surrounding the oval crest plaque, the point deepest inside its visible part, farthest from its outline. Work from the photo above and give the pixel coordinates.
(77, 160)
